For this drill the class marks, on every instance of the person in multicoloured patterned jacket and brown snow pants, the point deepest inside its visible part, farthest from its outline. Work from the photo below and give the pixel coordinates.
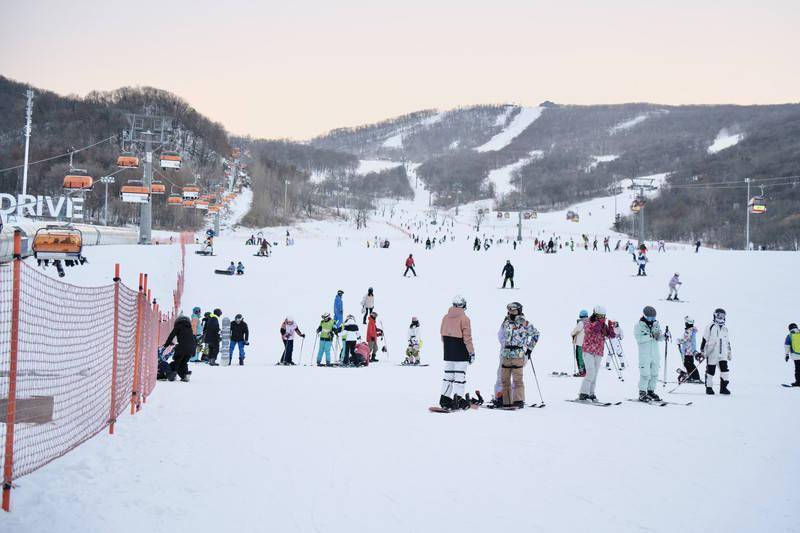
(517, 339)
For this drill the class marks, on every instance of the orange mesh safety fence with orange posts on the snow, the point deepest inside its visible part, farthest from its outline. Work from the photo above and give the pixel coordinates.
(64, 379)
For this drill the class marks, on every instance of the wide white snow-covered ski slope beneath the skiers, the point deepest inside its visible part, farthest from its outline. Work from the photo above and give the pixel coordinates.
(302, 449)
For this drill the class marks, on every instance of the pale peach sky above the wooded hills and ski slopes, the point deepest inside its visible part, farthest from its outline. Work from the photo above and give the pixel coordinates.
(297, 68)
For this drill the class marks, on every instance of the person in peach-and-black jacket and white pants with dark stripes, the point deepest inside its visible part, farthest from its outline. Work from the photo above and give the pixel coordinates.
(456, 332)
